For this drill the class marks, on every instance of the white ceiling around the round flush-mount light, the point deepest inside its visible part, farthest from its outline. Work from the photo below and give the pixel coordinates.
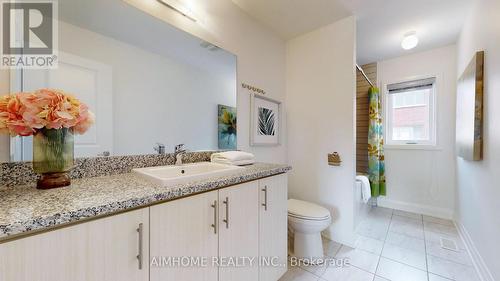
(381, 24)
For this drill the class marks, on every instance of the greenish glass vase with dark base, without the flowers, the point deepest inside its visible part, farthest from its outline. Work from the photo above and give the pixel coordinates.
(53, 157)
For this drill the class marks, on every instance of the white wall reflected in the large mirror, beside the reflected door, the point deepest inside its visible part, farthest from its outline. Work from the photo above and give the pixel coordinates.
(155, 98)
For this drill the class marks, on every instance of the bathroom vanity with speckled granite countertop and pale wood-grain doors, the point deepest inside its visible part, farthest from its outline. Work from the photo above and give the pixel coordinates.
(241, 215)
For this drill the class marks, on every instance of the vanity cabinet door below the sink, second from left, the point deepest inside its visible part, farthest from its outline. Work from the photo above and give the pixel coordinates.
(184, 228)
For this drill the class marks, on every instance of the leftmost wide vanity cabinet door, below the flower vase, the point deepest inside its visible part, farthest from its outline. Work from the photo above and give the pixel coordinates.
(104, 249)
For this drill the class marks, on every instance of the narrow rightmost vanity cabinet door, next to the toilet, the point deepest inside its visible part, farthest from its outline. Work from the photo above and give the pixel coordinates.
(273, 232)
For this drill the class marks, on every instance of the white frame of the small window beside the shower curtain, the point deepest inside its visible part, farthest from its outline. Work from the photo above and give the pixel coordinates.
(413, 144)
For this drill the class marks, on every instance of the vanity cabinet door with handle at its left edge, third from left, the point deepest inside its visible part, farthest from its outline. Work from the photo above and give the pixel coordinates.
(239, 232)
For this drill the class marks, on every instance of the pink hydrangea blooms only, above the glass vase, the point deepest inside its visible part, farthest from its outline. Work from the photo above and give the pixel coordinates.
(23, 114)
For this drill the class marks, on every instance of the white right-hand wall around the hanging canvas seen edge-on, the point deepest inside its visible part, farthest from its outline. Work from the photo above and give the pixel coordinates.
(478, 188)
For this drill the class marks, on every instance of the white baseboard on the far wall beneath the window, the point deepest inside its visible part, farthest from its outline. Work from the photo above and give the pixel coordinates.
(416, 208)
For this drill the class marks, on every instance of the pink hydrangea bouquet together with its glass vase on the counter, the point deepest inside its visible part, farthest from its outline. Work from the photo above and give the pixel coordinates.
(51, 117)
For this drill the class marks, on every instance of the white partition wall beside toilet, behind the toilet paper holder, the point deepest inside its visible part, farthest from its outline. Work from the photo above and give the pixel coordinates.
(320, 97)
